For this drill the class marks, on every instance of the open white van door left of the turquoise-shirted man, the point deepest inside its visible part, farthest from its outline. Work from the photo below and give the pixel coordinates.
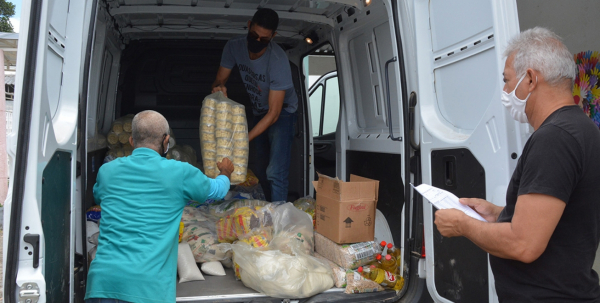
(41, 206)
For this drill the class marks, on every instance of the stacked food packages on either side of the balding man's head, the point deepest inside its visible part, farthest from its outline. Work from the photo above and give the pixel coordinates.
(119, 146)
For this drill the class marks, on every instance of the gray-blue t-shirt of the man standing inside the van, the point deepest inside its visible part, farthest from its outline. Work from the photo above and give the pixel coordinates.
(269, 72)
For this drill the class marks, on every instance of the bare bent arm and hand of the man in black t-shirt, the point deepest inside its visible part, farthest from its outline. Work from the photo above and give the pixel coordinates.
(524, 239)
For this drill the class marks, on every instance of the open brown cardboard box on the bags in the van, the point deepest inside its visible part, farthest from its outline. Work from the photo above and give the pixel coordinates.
(345, 211)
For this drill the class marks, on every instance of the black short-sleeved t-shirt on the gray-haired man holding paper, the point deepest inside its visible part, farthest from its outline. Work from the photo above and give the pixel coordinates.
(560, 159)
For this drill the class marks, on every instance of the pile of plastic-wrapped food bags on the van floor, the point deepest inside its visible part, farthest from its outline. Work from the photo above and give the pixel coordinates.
(271, 245)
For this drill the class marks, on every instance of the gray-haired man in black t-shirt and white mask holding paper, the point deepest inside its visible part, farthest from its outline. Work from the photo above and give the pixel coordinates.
(543, 243)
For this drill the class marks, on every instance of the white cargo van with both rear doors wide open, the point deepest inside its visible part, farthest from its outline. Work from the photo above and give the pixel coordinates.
(418, 85)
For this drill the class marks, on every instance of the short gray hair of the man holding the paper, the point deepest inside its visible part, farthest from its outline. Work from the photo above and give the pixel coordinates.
(542, 50)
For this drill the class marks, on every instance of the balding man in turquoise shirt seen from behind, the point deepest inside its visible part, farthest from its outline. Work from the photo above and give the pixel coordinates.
(142, 198)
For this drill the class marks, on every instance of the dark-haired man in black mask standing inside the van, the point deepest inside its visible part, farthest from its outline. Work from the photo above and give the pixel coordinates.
(266, 73)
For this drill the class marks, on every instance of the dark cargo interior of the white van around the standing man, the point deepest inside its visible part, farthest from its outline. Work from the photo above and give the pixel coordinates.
(163, 55)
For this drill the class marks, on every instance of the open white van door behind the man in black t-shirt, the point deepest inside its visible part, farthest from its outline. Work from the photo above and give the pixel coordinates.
(469, 142)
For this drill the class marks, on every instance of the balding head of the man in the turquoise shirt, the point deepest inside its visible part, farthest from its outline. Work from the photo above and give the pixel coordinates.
(148, 129)
